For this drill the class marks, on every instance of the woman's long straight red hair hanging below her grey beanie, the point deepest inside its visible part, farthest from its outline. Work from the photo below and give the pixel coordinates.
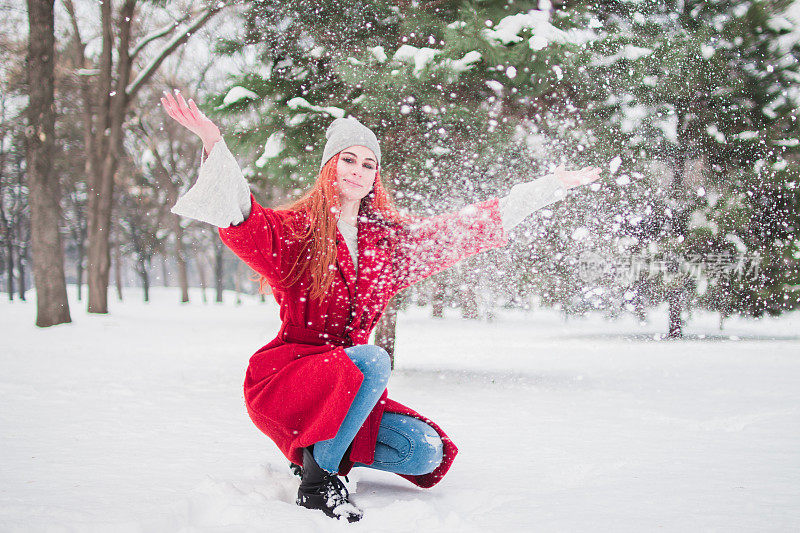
(321, 206)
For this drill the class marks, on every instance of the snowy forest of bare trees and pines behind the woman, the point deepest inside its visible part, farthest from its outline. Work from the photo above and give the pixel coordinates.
(690, 108)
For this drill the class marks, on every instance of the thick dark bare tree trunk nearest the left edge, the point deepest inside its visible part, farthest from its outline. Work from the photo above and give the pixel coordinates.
(52, 306)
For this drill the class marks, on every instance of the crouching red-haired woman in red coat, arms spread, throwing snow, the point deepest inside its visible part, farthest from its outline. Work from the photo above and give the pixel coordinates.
(333, 259)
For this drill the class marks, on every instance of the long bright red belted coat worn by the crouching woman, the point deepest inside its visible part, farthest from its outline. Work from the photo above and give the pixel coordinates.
(299, 387)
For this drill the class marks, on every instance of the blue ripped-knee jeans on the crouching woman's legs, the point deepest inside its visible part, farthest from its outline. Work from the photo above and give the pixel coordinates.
(405, 444)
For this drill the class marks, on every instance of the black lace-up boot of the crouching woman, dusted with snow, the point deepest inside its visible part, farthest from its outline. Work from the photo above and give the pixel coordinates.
(324, 491)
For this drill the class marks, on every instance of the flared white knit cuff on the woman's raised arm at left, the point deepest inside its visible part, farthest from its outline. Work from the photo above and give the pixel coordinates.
(220, 196)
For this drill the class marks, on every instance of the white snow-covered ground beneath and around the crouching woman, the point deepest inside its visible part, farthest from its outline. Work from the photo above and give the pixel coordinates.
(135, 421)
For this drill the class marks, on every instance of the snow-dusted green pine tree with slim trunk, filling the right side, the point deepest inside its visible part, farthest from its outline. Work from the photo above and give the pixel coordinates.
(697, 97)
